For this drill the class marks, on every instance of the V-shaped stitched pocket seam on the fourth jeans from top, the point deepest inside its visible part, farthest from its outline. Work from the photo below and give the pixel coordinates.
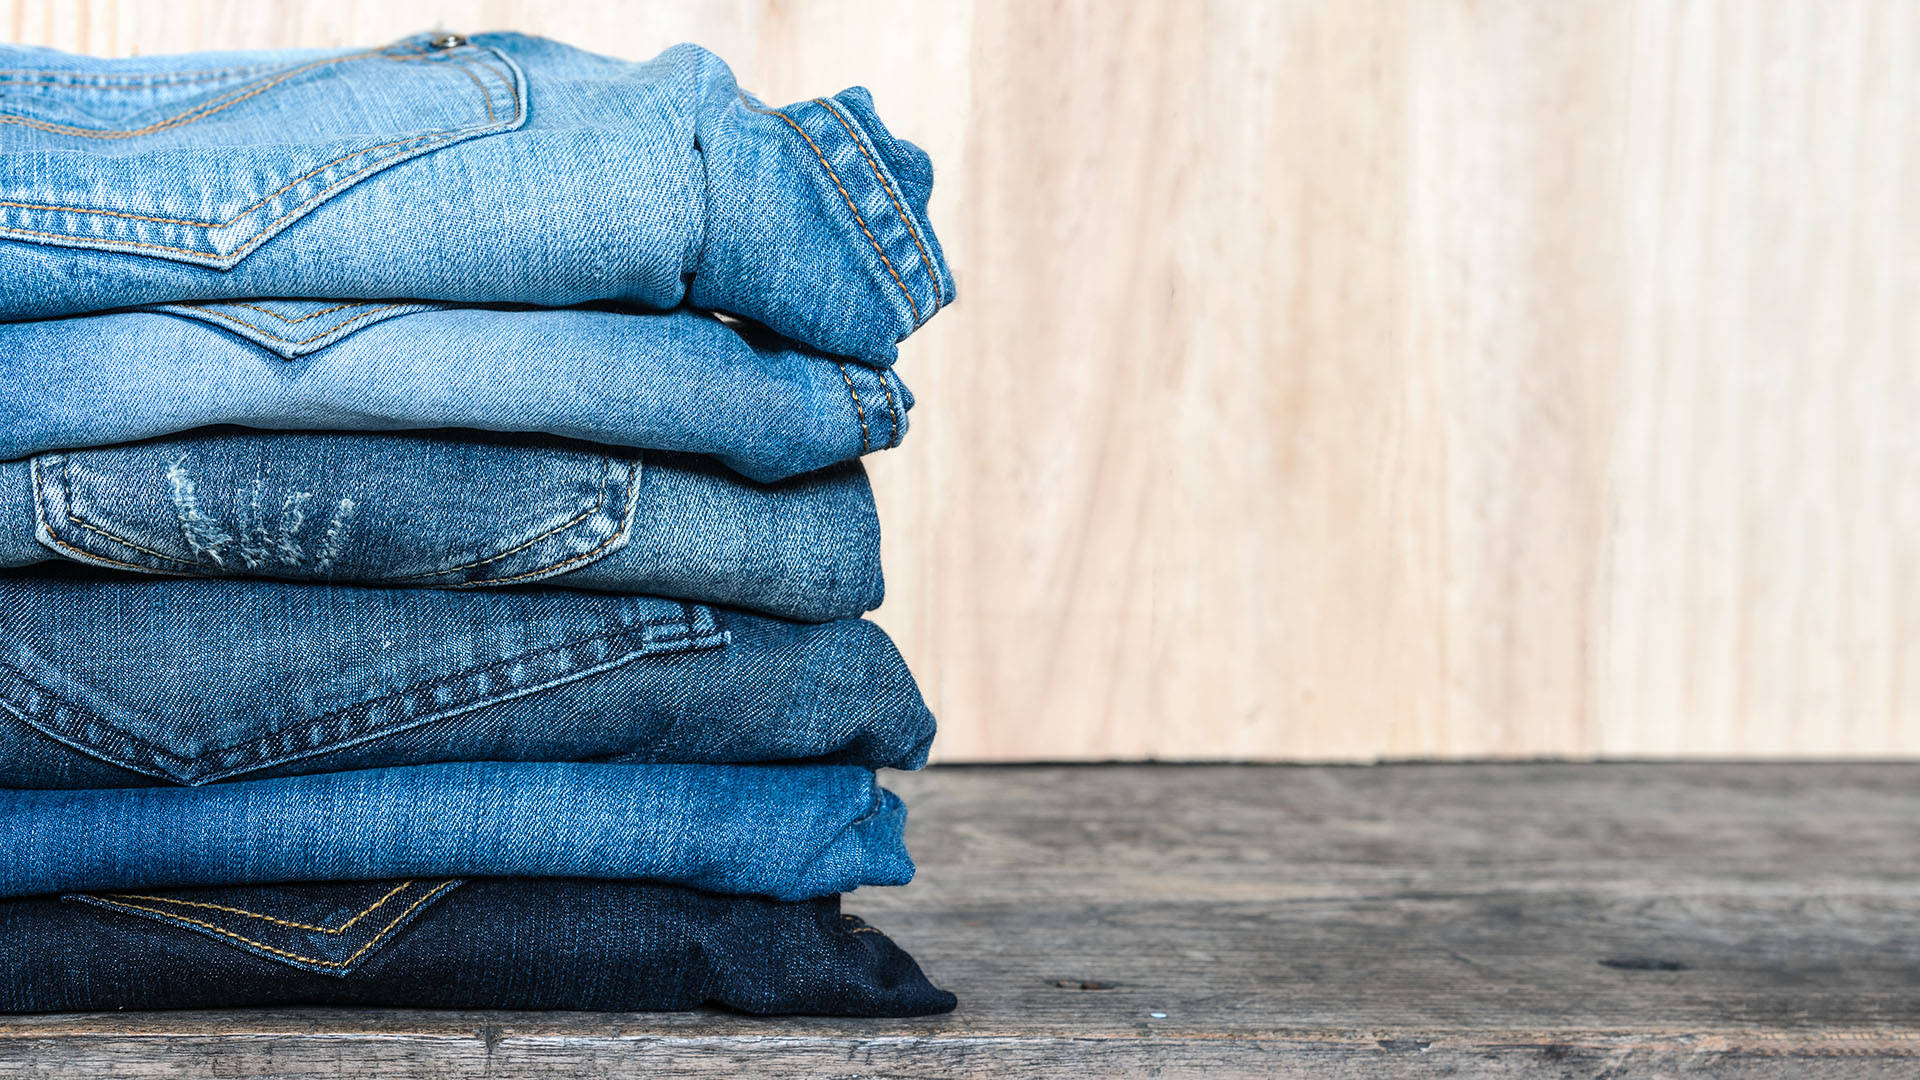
(686, 641)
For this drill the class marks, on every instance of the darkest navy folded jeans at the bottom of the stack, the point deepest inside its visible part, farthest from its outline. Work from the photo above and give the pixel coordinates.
(450, 945)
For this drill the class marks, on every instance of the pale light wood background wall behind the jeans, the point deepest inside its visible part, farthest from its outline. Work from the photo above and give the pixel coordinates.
(1345, 380)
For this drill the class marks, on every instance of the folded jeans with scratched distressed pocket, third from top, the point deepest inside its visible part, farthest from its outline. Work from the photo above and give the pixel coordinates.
(452, 510)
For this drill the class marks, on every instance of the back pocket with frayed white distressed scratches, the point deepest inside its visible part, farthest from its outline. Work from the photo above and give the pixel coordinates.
(416, 510)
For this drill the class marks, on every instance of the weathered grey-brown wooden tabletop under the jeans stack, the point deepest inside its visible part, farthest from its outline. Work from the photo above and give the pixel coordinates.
(1268, 921)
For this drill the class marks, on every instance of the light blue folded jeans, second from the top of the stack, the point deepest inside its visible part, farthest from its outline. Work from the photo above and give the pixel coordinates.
(677, 381)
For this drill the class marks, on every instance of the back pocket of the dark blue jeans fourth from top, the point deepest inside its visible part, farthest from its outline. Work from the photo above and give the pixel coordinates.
(195, 681)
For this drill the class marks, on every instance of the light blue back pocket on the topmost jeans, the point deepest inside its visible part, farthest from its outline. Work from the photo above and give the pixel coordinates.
(206, 166)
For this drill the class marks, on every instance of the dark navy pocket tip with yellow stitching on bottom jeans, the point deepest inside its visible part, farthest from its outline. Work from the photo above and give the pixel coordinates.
(327, 929)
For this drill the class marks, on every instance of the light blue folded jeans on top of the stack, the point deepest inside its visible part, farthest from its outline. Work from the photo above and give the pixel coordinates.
(506, 168)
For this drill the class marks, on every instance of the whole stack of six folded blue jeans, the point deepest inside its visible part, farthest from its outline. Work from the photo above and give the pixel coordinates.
(435, 535)
